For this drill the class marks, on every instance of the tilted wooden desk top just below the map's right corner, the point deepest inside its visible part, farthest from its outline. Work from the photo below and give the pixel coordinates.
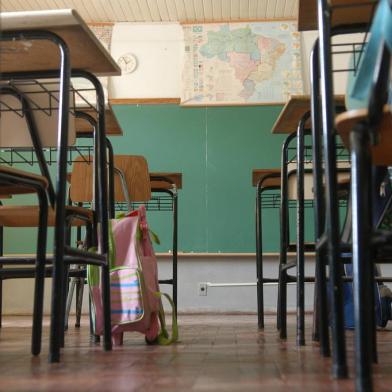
(292, 112)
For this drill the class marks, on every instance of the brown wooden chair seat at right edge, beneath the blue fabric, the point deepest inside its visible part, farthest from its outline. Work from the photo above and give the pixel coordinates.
(381, 153)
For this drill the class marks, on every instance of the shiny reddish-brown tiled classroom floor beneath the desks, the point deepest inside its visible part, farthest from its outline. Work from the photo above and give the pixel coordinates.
(215, 353)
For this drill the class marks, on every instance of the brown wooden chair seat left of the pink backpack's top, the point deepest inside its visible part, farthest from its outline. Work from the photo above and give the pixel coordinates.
(27, 216)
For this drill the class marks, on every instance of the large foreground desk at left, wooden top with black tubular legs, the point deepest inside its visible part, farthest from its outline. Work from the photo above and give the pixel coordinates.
(59, 44)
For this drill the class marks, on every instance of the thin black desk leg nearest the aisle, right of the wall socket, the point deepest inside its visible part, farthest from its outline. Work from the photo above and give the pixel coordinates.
(259, 261)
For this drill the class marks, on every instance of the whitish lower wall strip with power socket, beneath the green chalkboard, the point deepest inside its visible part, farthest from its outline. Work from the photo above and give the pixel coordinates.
(18, 294)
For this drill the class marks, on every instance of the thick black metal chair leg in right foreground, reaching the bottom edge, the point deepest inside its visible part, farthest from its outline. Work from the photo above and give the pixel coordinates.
(361, 230)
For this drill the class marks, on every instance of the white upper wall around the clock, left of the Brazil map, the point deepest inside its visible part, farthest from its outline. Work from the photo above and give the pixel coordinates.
(158, 48)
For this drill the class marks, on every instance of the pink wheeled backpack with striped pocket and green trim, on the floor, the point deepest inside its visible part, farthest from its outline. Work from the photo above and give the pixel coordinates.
(134, 290)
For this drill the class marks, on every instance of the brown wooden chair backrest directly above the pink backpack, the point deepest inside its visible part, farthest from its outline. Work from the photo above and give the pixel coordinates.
(134, 170)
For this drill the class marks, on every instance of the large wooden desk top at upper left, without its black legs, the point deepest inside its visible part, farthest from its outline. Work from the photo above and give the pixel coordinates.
(87, 52)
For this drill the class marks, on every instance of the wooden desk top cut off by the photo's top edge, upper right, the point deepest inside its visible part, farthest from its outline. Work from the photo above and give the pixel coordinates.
(346, 12)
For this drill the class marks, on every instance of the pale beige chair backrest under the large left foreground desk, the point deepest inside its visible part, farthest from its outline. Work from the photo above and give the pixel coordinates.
(43, 97)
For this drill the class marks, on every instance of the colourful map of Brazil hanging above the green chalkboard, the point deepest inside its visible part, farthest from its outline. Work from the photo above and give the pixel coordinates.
(241, 63)
